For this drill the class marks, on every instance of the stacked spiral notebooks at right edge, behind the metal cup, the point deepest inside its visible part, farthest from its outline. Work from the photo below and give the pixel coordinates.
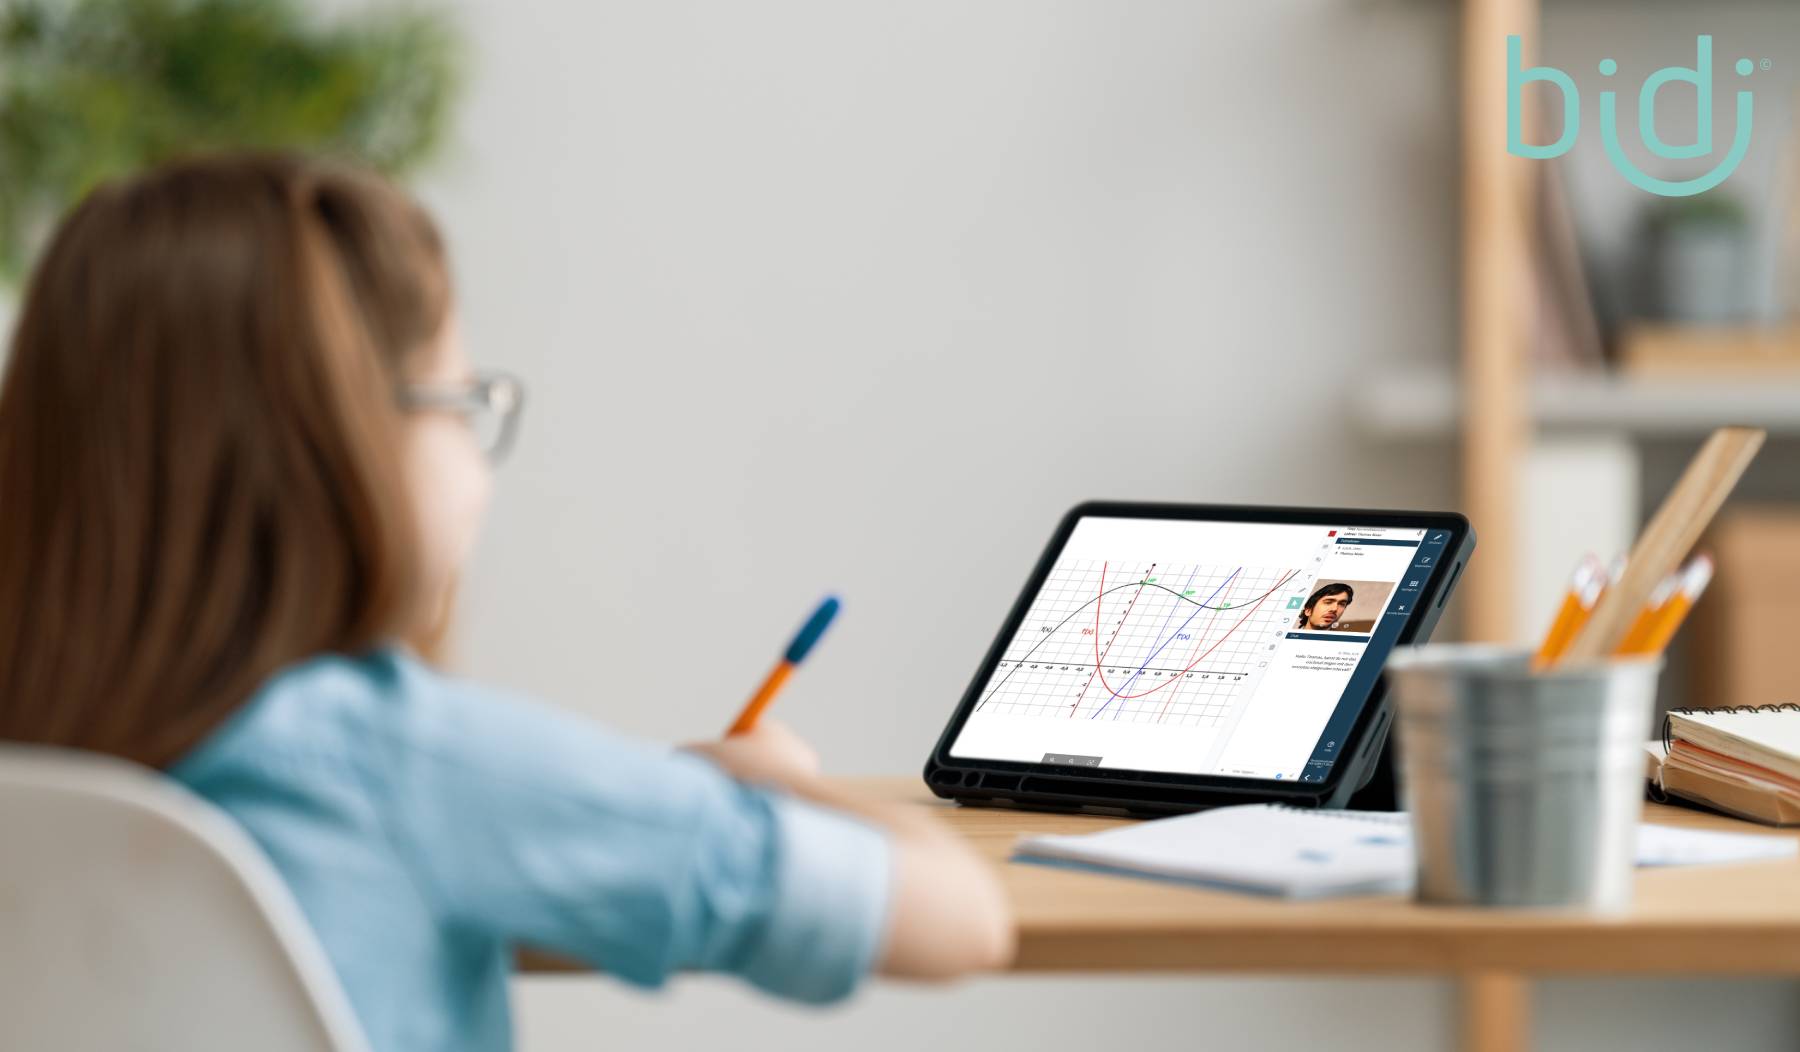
(1741, 761)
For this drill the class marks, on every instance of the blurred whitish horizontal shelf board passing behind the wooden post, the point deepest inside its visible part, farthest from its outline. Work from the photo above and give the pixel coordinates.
(1425, 404)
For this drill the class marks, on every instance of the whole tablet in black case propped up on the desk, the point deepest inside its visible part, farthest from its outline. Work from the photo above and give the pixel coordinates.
(1180, 657)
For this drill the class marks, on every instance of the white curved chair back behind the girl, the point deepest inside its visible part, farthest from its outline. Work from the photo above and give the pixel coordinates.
(138, 916)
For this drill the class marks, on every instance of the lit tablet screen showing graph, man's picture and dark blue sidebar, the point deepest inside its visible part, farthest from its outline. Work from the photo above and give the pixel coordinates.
(1232, 649)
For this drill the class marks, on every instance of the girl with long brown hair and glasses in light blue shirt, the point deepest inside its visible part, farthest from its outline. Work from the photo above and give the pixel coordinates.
(242, 458)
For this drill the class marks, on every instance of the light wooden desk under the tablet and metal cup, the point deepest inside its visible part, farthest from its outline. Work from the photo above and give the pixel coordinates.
(1741, 920)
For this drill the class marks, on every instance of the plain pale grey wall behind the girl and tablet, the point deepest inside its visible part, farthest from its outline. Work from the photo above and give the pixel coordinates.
(859, 296)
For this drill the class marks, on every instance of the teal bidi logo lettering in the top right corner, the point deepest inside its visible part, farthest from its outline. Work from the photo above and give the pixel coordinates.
(1700, 75)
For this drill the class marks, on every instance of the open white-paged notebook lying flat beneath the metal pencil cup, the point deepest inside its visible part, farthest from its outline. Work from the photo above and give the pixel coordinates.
(1288, 853)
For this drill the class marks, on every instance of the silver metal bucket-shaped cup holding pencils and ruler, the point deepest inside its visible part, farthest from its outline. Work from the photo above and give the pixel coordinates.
(1525, 790)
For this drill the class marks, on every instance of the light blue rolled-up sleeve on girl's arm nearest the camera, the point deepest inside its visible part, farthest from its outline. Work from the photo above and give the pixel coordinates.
(530, 826)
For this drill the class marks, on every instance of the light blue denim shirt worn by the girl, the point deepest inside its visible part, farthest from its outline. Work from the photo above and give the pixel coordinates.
(427, 826)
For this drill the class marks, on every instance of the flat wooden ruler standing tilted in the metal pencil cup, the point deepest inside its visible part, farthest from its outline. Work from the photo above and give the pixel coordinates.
(1684, 516)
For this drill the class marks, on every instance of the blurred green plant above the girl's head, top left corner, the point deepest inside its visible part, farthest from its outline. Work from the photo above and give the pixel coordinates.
(96, 89)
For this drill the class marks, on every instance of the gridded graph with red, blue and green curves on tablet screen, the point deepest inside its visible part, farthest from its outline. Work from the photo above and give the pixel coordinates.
(1144, 642)
